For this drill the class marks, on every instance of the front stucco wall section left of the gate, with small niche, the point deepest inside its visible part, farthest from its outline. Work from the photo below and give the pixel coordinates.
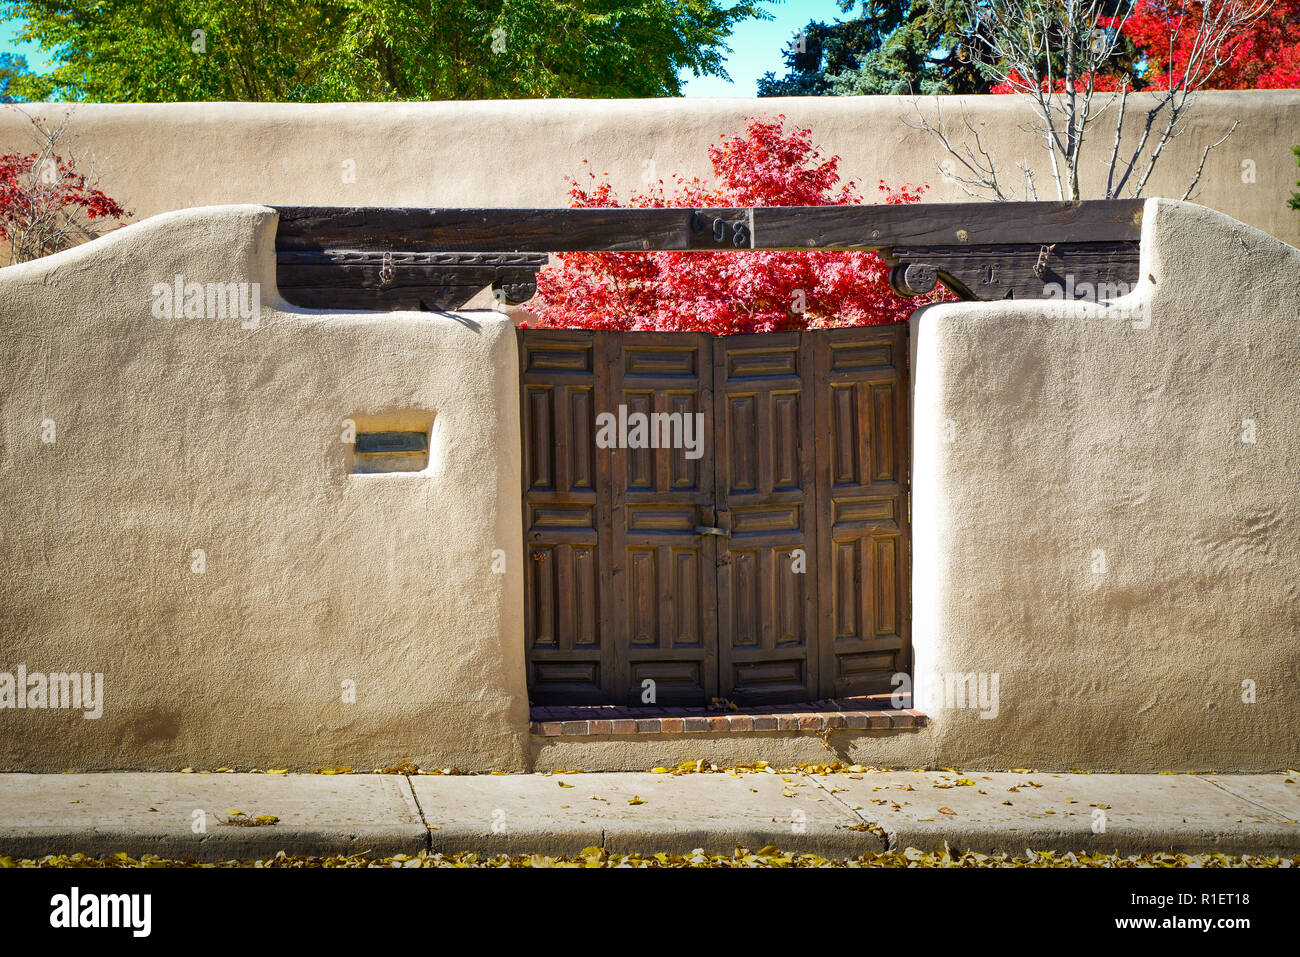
(175, 435)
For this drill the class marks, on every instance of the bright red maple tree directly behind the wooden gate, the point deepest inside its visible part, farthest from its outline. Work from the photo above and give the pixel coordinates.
(723, 293)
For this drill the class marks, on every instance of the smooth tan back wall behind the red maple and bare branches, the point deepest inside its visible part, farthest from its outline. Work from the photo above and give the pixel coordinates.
(157, 158)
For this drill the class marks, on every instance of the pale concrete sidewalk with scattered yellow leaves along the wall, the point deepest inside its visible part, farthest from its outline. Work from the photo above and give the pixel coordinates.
(242, 816)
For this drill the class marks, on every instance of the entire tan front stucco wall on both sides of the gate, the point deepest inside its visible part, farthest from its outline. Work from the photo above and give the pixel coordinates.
(1089, 523)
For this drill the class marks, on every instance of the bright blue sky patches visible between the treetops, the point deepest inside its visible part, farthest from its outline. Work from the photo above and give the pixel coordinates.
(756, 47)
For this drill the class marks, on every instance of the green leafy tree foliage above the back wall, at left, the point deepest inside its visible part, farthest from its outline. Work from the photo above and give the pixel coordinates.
(372, 50)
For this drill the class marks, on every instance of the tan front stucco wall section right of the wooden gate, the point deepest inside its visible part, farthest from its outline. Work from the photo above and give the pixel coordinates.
(1093, 523)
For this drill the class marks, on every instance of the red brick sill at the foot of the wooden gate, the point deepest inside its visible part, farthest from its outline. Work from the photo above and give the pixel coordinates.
(866, 713)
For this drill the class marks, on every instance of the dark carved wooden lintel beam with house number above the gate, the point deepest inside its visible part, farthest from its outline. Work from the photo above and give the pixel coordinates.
(393, 258)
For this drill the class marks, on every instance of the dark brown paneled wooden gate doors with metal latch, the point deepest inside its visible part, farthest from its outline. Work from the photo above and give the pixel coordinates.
(714, 517)
